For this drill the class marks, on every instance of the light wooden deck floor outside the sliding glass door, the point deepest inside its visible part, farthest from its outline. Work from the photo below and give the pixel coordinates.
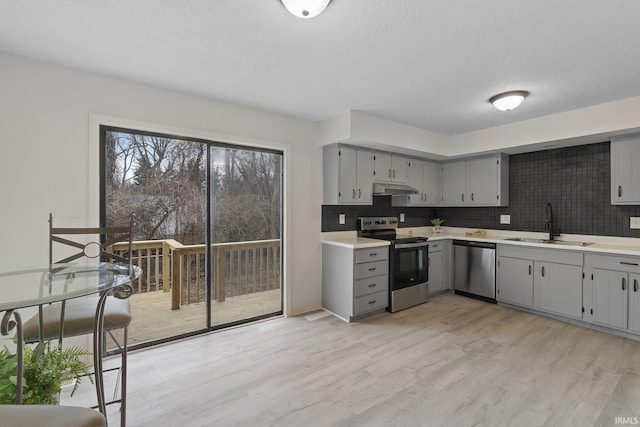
(153, 318)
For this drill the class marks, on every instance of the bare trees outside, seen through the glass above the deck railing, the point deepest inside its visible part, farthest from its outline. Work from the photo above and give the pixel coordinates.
(164, 182)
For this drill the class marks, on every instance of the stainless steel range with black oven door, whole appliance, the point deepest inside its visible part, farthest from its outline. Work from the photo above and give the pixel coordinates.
(409, 262)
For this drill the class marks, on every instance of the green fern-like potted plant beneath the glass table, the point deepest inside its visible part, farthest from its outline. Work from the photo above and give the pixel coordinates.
(44, 373)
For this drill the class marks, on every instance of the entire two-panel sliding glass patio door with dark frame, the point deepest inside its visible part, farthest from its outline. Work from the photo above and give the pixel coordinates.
(207, 234)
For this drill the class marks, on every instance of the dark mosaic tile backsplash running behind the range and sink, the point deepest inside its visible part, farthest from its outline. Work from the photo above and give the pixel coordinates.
(575, 180)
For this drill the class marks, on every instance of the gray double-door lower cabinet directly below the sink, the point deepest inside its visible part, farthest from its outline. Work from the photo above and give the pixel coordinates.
(542, 279)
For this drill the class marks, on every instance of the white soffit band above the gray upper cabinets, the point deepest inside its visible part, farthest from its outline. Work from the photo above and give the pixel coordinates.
(596, 123)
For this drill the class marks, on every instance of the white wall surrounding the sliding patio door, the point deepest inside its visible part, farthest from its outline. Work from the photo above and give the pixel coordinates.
(48, 116)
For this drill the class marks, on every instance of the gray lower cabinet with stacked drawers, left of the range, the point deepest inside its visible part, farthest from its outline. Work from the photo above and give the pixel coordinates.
(355, 282)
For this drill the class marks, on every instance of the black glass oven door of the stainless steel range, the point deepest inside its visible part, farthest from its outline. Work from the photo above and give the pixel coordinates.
(410, 265)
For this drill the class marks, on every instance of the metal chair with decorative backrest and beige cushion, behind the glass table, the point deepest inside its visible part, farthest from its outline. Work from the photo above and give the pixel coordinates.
(77, 316)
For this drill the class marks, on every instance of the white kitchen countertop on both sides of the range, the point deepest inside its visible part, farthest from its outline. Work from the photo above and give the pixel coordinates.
(601, 244)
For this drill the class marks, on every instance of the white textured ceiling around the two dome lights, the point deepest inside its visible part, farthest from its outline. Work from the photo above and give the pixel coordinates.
(427, 63)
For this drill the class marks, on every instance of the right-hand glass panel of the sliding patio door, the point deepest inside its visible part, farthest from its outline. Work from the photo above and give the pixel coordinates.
(246, 233)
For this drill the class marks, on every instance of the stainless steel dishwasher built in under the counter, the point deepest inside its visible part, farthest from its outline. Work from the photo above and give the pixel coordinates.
(475, 269)
